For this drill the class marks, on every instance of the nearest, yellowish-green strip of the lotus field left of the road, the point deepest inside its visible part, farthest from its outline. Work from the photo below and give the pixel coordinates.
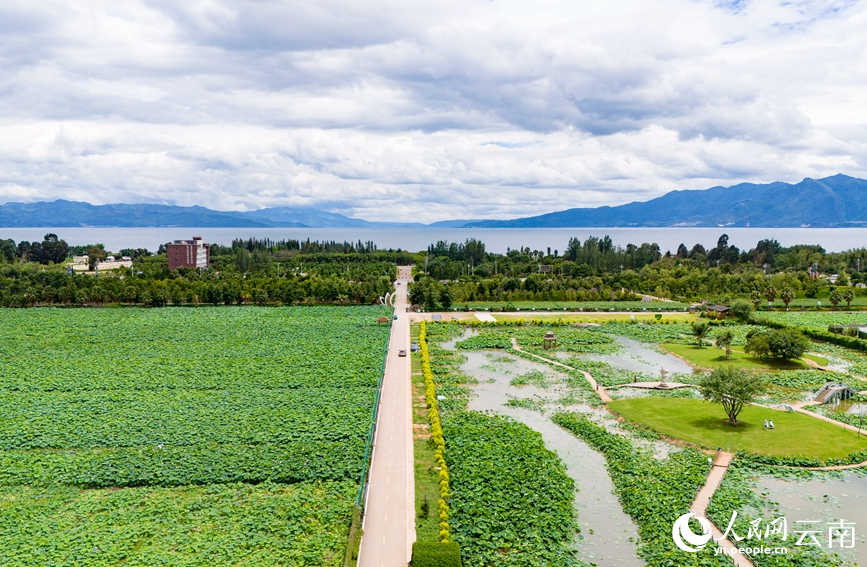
(259, 525)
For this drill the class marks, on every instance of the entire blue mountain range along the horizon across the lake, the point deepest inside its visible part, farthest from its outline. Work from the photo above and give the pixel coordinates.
(836, 201)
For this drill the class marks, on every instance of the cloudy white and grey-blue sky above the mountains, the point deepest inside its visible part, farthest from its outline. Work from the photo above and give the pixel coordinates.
(403, 110)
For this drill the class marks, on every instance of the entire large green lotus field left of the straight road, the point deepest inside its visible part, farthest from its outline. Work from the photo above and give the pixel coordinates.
(209, 436)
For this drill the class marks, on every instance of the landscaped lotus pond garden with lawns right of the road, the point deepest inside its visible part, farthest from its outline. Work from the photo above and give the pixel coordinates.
(651, 448)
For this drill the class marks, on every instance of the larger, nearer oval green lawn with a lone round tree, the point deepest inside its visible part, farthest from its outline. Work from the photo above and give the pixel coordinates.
(705, 424)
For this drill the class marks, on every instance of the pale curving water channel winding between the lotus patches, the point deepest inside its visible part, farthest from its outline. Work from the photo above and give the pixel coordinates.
(608, 534)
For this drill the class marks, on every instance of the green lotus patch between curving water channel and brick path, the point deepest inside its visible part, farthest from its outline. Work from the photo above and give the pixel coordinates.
(653, 492)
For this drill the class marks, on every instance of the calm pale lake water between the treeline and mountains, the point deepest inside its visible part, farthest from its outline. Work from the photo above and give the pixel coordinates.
(496, 239)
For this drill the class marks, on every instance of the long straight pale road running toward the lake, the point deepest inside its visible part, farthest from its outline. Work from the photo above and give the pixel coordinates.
(389, 516)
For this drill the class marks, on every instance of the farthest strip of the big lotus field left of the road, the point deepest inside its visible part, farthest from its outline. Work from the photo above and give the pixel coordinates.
(74, 349)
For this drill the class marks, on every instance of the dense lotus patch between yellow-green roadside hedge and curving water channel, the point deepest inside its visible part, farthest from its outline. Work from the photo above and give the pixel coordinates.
(511, 500)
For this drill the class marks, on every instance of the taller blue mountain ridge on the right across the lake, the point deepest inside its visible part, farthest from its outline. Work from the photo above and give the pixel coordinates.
(837, 201)
